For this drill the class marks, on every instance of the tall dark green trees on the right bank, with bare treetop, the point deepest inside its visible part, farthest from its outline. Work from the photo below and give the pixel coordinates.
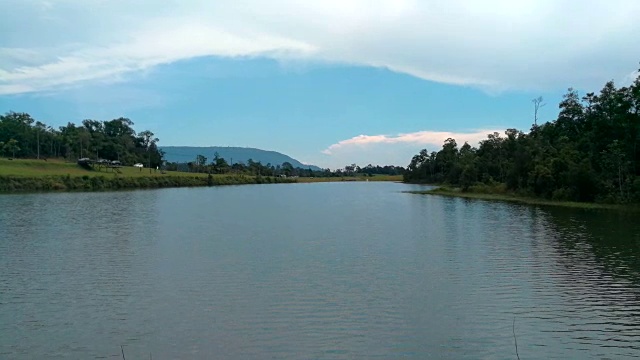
(589, 153)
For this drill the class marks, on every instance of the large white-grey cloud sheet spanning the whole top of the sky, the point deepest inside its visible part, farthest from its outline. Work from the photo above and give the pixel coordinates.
(494, 45)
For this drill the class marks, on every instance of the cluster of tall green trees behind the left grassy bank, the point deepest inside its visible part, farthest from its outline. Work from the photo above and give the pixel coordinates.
(22, 136)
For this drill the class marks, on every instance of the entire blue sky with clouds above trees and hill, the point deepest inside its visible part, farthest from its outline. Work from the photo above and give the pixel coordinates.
(329, 82)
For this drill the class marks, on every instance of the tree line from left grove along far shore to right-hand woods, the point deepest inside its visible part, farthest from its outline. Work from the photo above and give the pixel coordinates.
(21, 136)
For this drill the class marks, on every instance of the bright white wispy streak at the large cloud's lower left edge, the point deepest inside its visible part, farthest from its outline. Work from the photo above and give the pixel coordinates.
(144, 50)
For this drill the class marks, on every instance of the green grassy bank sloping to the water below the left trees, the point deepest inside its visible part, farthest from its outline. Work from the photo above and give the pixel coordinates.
(55, 175)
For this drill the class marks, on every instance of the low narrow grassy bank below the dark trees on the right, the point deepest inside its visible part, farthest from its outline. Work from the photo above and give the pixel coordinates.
(509, 197)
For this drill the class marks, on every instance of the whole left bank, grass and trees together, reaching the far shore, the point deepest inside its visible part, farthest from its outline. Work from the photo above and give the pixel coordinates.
(39, 157)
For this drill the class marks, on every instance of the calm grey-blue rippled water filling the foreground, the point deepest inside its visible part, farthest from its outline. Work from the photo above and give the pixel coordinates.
(313, 271)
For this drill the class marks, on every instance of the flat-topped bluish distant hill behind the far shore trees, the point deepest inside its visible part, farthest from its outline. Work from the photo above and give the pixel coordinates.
(185, 154)
